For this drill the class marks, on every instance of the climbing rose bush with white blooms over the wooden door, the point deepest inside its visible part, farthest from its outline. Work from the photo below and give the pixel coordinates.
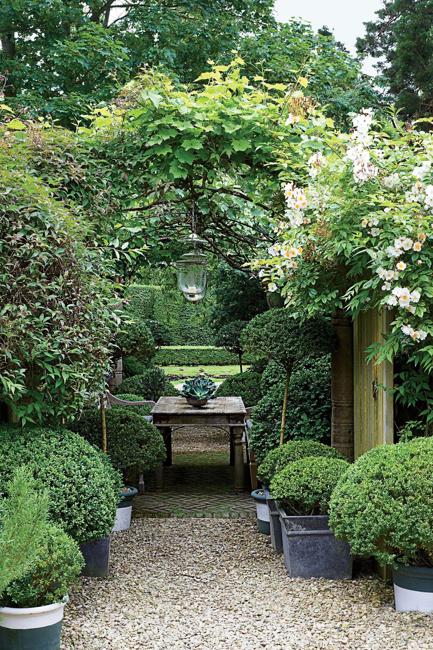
(358, 235)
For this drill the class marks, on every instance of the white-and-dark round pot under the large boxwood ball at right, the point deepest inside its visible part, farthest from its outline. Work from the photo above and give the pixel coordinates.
(413, 589)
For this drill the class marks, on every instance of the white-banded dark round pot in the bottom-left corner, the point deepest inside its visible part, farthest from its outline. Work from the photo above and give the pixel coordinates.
(31, 628)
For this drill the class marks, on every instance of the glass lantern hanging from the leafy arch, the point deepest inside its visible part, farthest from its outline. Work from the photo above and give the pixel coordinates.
(191, 271)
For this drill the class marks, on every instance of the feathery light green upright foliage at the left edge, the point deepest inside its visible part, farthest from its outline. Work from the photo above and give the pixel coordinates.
(23, 517)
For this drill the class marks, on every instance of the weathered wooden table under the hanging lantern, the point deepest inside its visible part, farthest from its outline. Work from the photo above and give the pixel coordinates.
(221, 412)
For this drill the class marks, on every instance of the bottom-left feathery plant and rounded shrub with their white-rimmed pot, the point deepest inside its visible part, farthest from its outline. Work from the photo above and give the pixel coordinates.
(39, 564)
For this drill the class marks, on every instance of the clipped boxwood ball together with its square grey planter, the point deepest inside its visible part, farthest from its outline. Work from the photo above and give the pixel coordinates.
(303, 489)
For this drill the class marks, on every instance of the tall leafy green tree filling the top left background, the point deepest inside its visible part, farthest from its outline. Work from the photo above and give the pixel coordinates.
(60, 56)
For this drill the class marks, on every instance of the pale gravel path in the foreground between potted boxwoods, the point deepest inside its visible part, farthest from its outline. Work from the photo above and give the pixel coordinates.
(215, 584)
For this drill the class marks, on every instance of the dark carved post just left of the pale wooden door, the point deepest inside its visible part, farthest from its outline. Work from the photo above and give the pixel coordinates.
(342, 429)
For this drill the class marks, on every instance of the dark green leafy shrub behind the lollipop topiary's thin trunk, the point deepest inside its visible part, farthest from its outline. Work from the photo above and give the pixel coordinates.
(308, 410)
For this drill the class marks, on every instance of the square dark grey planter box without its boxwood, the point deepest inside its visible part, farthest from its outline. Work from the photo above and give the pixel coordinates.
(311, 549)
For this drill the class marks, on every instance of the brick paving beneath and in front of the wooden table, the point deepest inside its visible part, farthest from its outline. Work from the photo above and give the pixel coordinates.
(199, 483)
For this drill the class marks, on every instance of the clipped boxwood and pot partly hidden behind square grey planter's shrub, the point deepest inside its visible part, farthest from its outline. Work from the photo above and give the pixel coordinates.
(276, 460)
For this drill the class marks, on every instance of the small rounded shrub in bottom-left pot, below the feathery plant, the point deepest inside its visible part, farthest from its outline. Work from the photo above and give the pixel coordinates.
(57, 565)
